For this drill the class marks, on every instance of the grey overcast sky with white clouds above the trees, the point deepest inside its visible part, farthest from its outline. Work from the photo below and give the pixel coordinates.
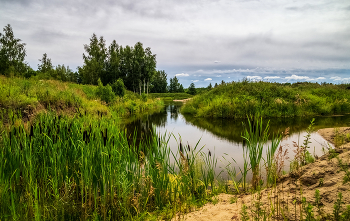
(201, 41)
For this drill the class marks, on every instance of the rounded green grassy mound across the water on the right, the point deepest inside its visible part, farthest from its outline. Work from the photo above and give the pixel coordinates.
(239, 99)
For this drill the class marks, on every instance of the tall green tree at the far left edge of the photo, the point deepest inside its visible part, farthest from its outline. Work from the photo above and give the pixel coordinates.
(12, 53)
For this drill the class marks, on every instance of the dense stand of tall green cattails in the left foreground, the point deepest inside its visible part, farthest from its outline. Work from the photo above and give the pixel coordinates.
(59, 168)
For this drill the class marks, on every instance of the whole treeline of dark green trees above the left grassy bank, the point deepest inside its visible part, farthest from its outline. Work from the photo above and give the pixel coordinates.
(136, 65)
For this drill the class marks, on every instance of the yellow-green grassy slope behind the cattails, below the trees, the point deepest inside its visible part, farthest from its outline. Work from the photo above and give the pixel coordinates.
(30, 96)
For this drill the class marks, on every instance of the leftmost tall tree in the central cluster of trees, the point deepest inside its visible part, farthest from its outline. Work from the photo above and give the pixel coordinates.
(94, 61)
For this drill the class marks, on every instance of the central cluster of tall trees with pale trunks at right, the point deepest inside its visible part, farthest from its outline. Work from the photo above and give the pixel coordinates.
(134, 65)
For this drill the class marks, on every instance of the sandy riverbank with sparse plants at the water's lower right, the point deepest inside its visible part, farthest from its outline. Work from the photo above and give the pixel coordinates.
(294, 194)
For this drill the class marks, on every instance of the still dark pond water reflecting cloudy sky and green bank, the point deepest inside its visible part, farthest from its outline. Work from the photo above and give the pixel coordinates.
(222, 137)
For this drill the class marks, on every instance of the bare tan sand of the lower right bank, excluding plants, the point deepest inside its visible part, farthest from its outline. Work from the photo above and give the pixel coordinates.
(324, 174)
